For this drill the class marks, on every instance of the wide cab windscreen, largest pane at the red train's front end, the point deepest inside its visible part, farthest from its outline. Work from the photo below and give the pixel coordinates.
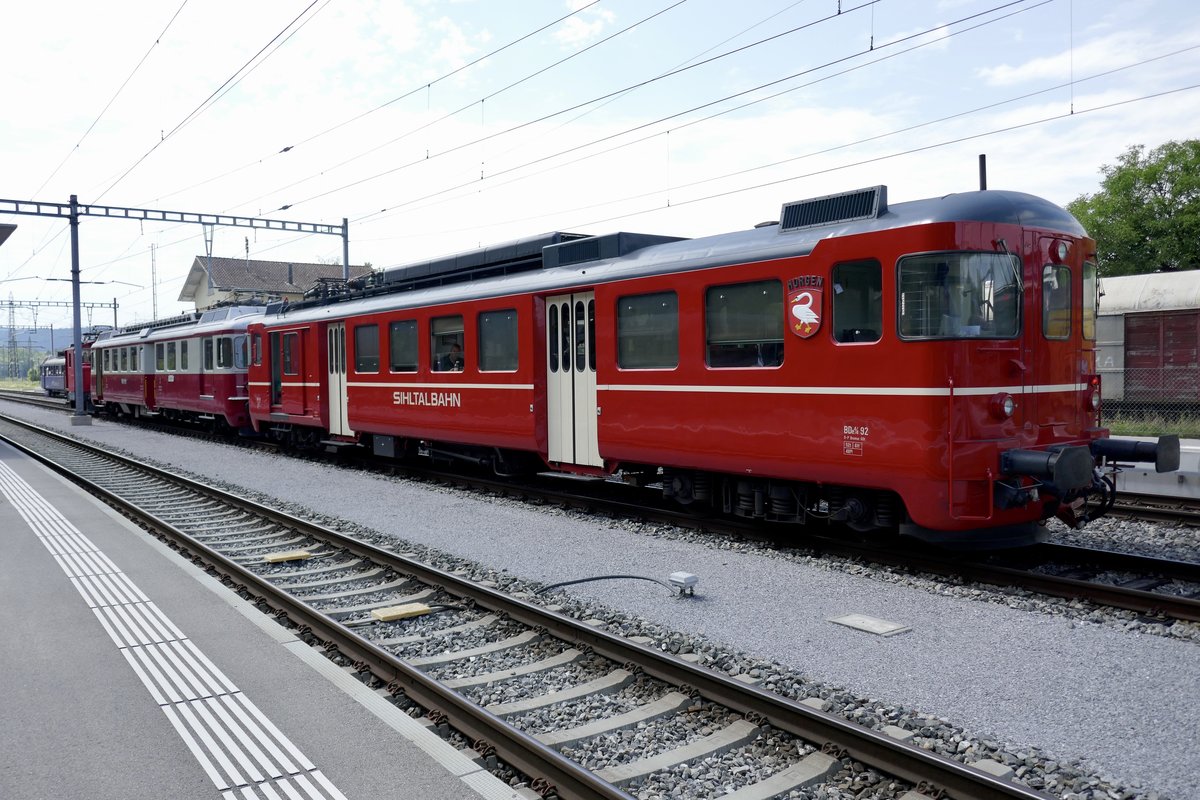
(959, 296)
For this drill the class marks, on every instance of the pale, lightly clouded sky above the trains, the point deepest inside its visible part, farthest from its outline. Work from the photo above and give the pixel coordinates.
(439, 127)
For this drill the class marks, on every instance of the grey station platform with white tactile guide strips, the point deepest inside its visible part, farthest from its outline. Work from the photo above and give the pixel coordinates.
(130, 673)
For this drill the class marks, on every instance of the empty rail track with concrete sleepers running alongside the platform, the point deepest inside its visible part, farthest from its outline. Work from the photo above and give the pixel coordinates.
(467, 653)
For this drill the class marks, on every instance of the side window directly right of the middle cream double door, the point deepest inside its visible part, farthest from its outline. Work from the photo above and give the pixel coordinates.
(647, 333)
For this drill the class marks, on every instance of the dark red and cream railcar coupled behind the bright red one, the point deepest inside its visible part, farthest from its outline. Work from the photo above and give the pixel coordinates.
(190, 369)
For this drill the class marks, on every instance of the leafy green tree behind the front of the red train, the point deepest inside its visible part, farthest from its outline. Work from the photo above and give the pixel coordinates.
(1147, 216)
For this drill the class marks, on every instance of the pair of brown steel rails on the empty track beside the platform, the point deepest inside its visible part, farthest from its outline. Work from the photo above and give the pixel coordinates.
(879, 750)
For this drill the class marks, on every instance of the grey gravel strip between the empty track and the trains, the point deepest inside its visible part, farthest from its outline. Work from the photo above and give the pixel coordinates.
(1083, 702)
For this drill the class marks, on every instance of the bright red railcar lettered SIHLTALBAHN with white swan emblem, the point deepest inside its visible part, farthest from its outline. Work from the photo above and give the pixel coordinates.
(928, 366)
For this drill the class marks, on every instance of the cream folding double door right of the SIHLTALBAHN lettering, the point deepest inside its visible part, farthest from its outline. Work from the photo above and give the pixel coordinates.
(573, 435)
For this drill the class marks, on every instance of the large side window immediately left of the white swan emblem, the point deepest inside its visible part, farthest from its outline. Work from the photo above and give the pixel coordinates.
(745, 324)
